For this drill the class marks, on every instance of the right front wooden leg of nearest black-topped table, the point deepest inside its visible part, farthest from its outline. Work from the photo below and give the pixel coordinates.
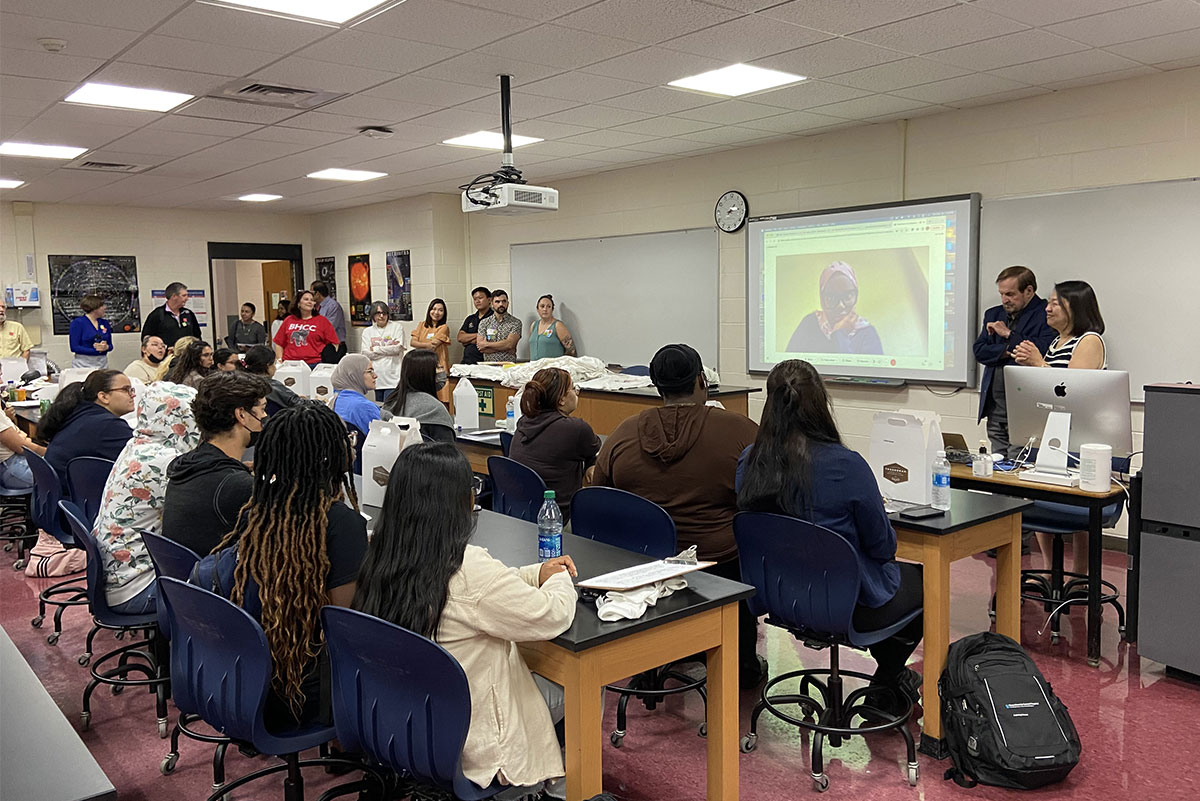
(723, 710)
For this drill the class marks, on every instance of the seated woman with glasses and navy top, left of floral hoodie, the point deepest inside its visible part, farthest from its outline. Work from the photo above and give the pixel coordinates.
(86, 420)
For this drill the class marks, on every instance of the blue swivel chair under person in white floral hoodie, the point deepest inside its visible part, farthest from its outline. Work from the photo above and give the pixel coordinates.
(153, 666)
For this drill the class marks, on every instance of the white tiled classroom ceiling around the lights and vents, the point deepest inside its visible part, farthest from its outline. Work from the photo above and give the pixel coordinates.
(589, 77)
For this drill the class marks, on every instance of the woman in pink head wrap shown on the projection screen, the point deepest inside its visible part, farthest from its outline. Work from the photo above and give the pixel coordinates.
(836, 328)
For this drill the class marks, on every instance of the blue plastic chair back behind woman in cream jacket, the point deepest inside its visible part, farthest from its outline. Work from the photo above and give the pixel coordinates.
(404, 702)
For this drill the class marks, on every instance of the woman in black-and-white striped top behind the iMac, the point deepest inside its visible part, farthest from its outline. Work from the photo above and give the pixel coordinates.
(1073, 311)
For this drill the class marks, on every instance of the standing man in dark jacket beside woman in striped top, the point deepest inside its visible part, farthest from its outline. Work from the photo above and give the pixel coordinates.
(1021, 316)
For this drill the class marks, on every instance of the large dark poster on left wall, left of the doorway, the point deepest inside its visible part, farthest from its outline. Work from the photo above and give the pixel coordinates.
(112, 278)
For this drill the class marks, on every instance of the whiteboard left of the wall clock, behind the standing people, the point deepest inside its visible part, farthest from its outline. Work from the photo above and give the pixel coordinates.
(623, 298)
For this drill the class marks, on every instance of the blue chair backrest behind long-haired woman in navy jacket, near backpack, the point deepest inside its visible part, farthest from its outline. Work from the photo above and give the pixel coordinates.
(807, 576)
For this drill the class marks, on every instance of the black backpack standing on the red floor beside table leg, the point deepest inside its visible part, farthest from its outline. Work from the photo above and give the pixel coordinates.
(1004, 726)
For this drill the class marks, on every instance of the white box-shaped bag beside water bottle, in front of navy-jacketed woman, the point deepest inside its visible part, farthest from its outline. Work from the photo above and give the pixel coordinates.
(904, 445)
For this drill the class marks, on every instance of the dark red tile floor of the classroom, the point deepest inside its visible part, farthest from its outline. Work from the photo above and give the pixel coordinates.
(1141, 730)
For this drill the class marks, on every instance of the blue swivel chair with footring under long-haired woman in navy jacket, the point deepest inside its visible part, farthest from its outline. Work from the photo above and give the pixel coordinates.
(808, 581)
